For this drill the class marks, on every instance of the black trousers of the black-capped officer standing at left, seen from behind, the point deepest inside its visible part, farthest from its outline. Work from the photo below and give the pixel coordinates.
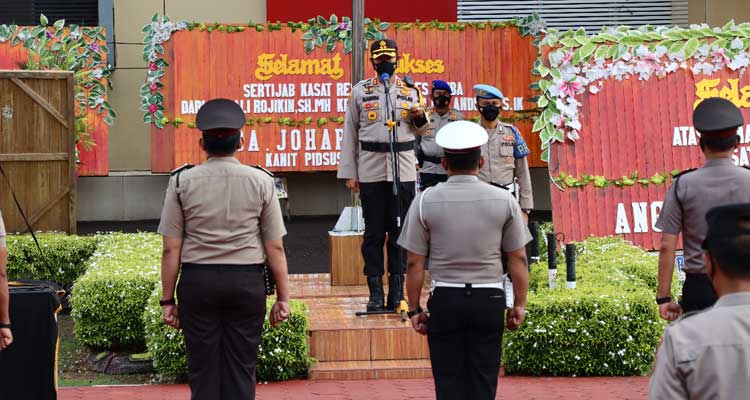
(222, 309)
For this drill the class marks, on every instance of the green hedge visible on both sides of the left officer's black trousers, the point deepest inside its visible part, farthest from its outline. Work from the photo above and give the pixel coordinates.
(284, 352)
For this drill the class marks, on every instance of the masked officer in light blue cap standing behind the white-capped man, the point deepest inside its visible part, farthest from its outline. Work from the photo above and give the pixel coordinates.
(505, 152)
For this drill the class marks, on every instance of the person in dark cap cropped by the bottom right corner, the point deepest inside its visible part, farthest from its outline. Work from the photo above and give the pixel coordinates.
(707, 355)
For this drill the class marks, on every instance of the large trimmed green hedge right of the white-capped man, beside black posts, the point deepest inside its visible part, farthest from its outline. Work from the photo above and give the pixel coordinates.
(608, 326)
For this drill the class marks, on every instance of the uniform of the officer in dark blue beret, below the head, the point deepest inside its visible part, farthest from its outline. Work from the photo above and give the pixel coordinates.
(431, 171)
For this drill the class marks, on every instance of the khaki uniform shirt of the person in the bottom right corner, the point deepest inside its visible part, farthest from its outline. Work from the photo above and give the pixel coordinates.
(706, 355)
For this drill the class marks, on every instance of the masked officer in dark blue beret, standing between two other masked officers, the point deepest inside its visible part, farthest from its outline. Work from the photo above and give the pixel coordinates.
(429, 154)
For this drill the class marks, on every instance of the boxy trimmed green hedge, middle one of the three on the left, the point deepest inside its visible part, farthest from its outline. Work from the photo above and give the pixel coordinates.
(109, 299)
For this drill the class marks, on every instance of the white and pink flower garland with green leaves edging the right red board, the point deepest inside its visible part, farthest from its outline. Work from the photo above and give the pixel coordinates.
(575, 63)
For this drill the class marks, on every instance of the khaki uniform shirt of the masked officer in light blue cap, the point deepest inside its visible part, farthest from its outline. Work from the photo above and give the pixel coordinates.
(501, 167)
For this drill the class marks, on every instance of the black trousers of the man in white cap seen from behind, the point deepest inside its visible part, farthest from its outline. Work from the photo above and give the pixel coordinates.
(465, 334)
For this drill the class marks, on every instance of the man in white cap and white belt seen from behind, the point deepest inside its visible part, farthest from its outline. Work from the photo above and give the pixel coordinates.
(465, 225)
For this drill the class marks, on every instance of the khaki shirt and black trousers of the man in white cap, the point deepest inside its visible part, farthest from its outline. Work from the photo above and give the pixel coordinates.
(464, 225)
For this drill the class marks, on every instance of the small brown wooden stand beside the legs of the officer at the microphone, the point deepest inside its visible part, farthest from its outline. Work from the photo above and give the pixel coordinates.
(346, 263)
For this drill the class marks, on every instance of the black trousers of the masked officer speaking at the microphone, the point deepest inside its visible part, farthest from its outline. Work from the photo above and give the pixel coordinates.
(379, 211)
